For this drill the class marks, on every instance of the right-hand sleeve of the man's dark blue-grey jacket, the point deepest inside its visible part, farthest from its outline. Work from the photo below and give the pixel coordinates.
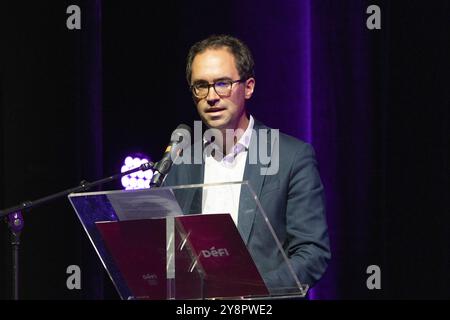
(307, 248)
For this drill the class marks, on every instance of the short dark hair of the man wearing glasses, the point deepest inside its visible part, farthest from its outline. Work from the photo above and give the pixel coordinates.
(240, 51)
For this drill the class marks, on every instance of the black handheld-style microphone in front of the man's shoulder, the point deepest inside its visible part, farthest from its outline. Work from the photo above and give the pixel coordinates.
(163, 166)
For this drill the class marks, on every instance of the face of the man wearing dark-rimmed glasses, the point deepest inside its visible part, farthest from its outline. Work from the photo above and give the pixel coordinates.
(219, 112)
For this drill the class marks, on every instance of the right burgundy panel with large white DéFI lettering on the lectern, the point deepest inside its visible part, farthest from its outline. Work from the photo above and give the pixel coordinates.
(223, 260)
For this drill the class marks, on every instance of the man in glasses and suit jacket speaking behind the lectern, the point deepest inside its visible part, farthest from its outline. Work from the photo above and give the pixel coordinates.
(220, 74)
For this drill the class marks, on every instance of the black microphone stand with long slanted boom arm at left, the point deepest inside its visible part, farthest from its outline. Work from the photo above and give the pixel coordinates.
(14, 218)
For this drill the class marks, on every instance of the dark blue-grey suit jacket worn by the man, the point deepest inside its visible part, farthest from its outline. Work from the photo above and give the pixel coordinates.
(293, 200)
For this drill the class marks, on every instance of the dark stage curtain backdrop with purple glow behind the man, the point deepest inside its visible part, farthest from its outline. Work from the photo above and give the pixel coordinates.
(374, 104)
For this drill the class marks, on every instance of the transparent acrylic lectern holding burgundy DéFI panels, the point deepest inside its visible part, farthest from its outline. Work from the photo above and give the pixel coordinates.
(158, 244)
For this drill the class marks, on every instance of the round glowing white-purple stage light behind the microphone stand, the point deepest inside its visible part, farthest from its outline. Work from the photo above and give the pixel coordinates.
(138, 179)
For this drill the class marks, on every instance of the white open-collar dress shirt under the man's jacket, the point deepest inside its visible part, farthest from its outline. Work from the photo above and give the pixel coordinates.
(225, 199)
